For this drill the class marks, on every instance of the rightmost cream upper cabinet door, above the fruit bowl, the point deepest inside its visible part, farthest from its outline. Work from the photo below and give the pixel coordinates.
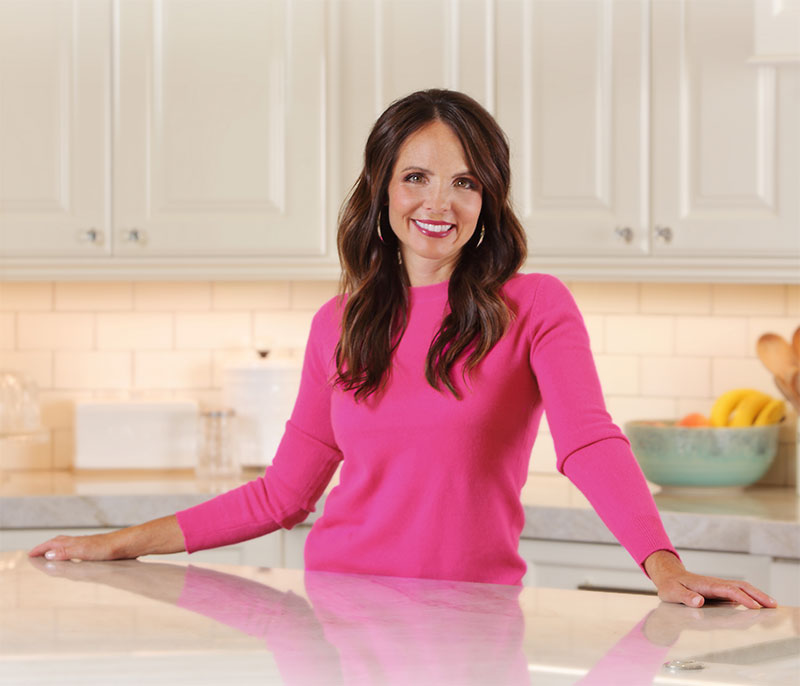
(722, 183)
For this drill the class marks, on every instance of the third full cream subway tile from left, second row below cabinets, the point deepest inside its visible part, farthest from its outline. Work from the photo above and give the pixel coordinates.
(208, 330)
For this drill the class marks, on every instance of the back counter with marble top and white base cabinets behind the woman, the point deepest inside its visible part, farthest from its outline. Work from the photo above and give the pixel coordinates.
(752, 534)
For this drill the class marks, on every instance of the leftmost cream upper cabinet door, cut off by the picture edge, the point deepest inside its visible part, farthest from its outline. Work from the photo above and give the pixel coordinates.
(54, 124)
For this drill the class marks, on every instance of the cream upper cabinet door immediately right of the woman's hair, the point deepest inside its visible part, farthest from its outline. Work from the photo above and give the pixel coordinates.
(570, 97)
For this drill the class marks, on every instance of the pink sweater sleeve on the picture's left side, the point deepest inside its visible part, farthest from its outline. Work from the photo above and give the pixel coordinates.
(304, 463)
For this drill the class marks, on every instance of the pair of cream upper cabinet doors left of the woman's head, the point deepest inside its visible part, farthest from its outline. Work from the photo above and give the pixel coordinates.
(203, 120)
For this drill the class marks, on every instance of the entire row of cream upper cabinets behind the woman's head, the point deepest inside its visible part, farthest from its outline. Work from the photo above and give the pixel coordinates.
(218, 138)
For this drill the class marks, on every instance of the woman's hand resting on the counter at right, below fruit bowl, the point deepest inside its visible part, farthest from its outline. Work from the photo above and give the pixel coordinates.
(676, 585)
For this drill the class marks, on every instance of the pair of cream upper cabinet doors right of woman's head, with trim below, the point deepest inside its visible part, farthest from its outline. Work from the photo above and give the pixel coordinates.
(644, 141)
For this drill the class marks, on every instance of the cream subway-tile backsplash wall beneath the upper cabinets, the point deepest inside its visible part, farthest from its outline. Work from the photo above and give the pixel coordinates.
(662, 350)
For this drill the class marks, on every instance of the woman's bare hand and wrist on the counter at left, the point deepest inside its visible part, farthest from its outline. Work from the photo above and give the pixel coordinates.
(157, 536)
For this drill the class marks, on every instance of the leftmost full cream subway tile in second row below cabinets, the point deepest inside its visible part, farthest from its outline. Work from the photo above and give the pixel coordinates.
(55, 331)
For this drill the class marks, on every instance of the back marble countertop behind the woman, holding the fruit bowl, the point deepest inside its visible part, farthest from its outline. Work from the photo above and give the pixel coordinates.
(763, 521)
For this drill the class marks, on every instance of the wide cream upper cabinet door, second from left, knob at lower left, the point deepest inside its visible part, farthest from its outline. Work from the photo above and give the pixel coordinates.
(219, 136)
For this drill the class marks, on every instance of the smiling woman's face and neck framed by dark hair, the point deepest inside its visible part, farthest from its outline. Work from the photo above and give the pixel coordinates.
(434, 203)
